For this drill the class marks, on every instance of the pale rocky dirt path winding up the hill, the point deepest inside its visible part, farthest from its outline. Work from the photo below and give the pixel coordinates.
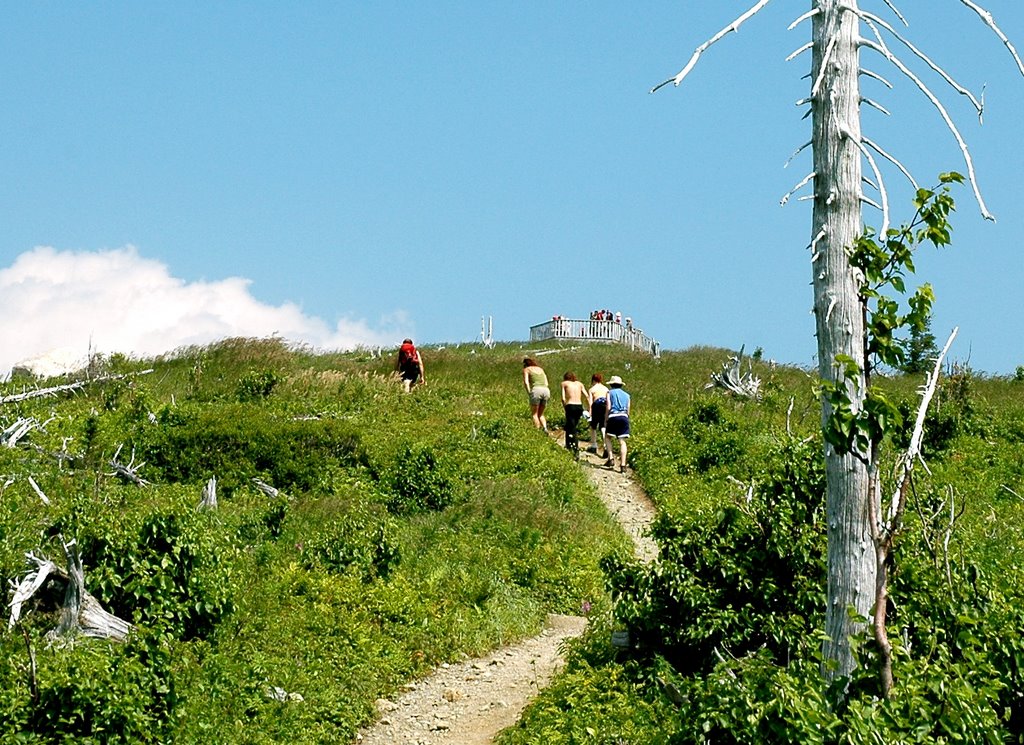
(468, 704)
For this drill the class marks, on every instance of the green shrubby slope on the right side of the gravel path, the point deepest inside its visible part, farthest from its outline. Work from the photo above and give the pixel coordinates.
(727, 630)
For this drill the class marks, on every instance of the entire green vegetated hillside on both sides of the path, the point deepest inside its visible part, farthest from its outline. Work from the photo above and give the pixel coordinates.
(413, 530)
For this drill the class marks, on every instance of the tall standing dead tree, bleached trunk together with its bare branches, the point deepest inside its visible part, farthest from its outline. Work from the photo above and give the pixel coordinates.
(839, 152)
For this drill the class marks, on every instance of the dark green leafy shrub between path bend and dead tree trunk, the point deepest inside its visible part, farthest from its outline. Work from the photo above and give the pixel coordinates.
(749, 577)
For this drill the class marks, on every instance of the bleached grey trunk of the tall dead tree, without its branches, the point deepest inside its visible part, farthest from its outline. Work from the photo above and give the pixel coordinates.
(837, 224)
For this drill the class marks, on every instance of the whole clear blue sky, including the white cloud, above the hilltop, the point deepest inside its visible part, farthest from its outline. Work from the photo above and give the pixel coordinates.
(347, 173)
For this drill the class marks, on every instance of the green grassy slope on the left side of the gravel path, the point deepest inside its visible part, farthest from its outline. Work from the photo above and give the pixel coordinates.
(411, 530)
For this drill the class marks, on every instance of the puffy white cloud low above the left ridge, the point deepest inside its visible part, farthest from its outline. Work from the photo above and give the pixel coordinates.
(60, 301)
